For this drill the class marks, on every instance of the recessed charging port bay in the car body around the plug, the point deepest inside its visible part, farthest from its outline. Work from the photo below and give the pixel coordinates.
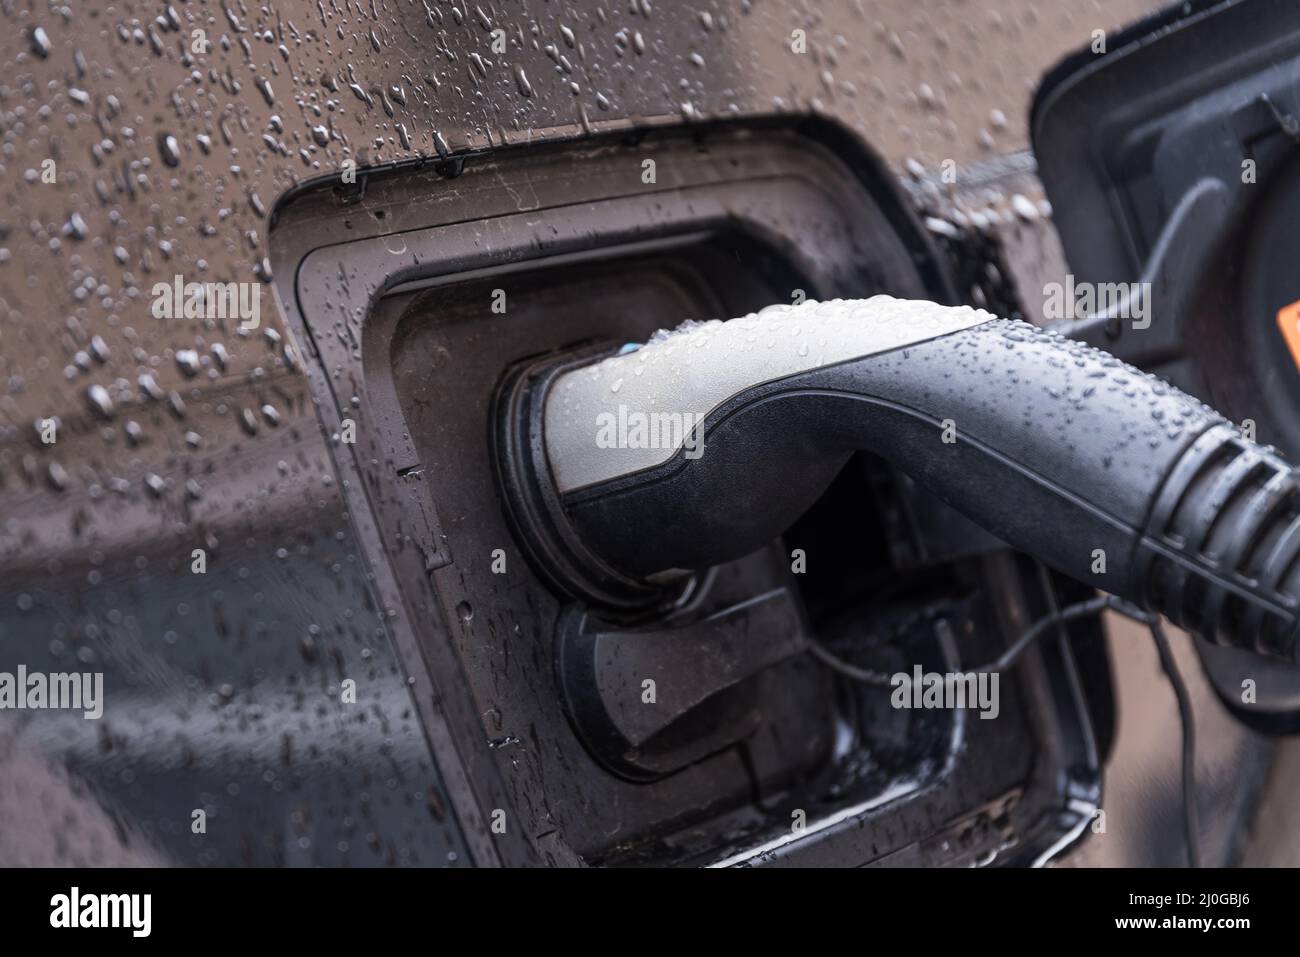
(411, 322)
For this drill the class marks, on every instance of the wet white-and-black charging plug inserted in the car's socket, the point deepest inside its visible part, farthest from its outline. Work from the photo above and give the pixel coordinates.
(701, 447)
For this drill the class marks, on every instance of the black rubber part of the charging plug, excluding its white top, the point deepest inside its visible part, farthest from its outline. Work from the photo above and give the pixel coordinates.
(1059, 449)
